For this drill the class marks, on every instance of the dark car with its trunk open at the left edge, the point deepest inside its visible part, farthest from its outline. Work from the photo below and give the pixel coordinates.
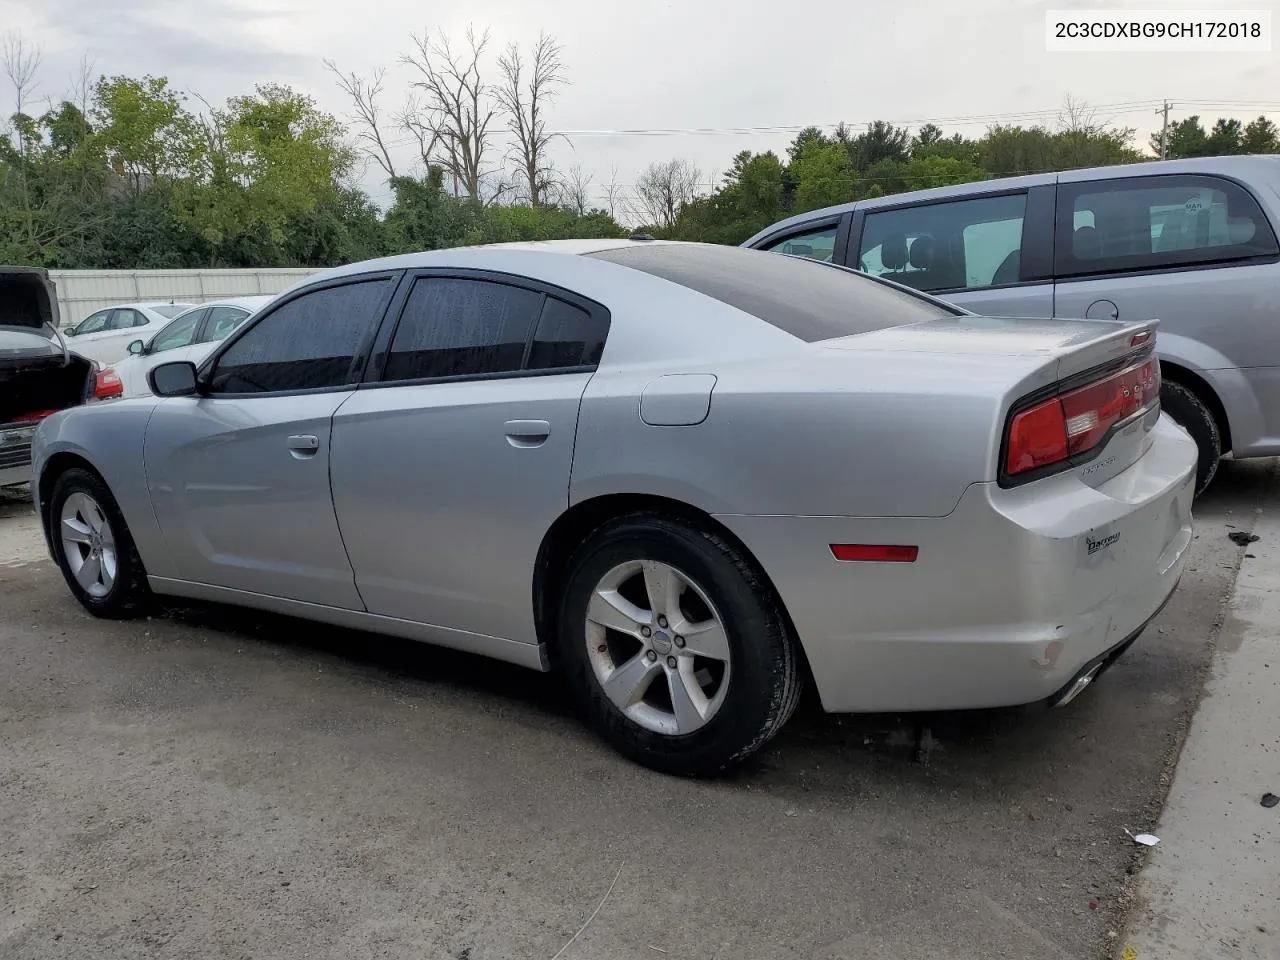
(39, 376)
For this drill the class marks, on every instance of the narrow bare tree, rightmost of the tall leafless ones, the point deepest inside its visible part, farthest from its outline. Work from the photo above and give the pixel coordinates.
(525, 95)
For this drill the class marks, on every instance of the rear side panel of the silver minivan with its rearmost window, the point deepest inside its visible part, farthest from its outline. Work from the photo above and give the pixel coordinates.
(1194, 252)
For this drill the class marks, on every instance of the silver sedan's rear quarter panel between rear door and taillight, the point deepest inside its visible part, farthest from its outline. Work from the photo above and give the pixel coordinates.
(826, 435)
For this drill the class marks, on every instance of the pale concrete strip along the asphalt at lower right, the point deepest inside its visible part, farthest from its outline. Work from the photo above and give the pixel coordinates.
(1212, 888)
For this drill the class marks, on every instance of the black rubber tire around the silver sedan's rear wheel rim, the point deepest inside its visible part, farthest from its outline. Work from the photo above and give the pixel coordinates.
(765, 674)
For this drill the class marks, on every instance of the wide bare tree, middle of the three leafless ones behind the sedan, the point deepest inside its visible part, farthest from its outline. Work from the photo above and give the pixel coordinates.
(452, 116)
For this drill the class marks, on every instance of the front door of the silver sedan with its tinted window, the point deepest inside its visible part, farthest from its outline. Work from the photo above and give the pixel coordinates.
(240, 477)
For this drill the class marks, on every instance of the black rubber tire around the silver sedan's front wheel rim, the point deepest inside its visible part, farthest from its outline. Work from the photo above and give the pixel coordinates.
(129, 593)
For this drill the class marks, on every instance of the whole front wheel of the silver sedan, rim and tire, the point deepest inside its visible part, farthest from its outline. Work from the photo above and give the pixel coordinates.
(94, 548)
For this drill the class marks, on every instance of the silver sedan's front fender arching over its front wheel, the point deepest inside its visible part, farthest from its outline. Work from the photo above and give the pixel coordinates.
(111, 438)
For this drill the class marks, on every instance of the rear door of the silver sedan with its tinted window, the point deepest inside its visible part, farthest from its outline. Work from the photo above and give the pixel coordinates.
(454, 460)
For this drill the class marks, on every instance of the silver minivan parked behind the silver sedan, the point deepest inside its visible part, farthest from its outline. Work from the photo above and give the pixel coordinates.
(1191, 244)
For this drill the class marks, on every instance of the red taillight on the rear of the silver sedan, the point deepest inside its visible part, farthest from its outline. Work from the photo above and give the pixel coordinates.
(1077, 422)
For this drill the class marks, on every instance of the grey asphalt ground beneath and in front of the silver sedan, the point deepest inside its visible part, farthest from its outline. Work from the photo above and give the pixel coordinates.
(218, 784)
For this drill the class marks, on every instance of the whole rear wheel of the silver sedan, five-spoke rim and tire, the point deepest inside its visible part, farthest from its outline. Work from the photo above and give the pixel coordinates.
(676, 651)
